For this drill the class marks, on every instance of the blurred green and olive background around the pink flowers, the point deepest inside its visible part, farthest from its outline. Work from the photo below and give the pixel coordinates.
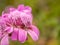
(46, 15)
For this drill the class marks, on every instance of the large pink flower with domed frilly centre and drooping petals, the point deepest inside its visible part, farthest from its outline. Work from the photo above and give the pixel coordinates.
(20, 22)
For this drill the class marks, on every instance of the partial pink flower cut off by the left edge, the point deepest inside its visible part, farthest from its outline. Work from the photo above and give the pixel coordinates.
(3, 34)
